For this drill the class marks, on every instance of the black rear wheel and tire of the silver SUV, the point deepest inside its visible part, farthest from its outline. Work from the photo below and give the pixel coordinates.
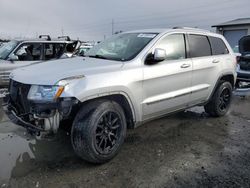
(220, 102)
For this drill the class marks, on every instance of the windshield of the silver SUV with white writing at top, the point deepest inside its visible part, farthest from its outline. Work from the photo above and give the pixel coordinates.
(123, 47)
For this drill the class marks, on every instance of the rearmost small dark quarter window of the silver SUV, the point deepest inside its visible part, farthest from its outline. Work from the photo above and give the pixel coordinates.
(218, 46)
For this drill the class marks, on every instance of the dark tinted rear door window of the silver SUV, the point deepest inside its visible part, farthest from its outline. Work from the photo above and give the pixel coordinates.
(199, 46)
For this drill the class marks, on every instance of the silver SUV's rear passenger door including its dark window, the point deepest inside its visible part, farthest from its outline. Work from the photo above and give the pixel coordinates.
(206, 67)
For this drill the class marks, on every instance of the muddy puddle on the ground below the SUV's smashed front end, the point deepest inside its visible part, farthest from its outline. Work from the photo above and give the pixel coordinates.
(20, 153)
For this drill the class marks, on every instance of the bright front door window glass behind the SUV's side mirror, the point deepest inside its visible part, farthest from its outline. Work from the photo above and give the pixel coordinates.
(174, 46)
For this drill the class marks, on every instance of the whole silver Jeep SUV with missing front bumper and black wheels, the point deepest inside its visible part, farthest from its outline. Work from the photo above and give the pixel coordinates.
(121, 83)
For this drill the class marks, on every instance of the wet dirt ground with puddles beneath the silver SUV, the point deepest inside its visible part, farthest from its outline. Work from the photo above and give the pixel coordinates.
(188, 149)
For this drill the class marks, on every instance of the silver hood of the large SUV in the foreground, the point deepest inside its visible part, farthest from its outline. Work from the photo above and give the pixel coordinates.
(50, 72)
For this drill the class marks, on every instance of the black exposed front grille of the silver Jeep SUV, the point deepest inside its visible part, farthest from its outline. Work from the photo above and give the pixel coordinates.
(19, 97)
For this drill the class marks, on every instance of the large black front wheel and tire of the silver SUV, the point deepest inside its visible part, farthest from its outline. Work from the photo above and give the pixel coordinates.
(98, 131)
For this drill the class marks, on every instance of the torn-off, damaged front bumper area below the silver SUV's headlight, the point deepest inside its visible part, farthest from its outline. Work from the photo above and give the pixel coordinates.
(42, 117)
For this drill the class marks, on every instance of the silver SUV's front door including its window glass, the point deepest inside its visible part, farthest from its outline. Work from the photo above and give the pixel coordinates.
(166, 84)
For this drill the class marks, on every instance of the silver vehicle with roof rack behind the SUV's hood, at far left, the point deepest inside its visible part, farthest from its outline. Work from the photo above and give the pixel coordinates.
(19, 53)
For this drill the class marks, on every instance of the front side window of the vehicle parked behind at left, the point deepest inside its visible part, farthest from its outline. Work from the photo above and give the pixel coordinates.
(29, 52)
